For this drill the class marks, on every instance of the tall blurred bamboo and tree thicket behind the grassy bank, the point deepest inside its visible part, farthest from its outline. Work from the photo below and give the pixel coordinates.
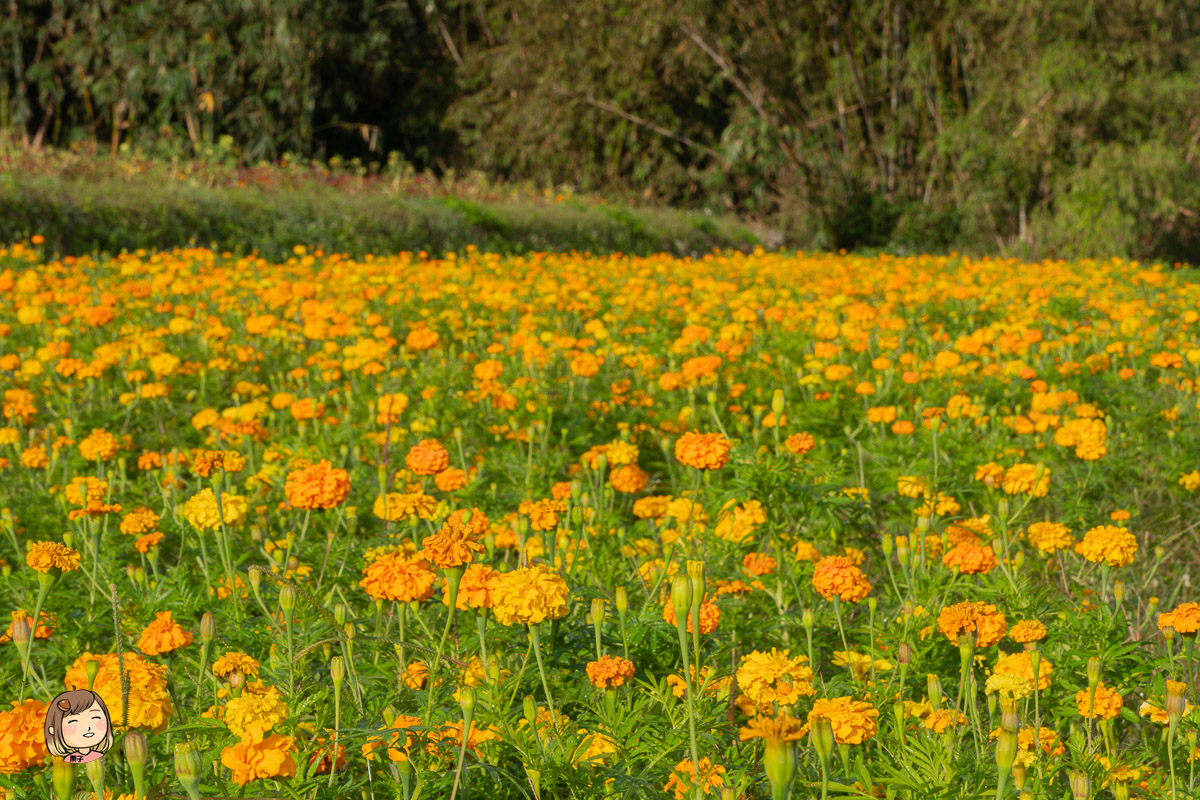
(1030, 128)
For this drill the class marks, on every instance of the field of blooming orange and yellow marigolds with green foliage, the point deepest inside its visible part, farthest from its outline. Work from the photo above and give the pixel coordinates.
(741, 527)
